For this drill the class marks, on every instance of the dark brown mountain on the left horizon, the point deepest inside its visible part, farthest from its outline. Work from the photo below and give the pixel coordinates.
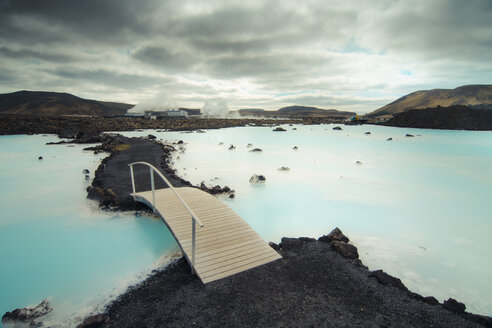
(57, 104)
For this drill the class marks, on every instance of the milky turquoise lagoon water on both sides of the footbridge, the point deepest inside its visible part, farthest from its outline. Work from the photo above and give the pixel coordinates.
(419, 208)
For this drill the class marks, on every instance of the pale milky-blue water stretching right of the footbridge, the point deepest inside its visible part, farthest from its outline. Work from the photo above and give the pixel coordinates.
(419, 208)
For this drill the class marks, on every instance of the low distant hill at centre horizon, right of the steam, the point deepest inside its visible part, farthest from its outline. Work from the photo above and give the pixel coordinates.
(298, 112)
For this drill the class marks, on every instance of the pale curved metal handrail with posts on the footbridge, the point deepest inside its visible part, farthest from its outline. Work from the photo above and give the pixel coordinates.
(194, 218)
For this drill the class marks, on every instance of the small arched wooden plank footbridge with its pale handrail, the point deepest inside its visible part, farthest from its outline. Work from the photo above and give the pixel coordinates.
(222, 245)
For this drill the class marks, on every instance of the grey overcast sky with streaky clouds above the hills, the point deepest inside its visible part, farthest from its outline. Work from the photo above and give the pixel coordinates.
(351, 55)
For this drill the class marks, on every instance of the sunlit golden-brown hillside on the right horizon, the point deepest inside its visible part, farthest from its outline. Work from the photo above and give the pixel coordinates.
(472, 96)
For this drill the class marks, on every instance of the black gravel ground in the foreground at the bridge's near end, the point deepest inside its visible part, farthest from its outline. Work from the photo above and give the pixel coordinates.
(312, 286)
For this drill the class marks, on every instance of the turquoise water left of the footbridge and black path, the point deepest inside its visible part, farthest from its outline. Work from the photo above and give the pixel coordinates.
(54, 243)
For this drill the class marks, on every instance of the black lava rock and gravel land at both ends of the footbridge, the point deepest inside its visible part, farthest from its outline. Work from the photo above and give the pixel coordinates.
(317, 283)
